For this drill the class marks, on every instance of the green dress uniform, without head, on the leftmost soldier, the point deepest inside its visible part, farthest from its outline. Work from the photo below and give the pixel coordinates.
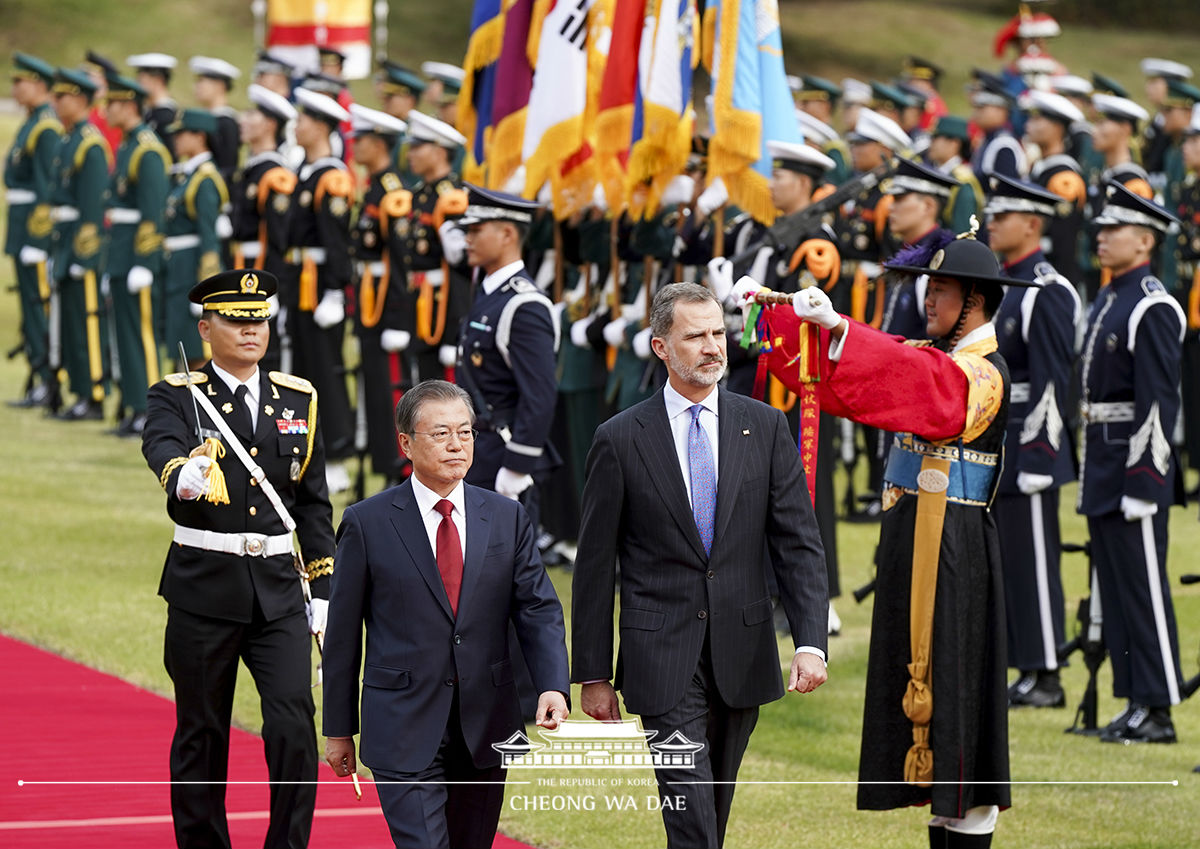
(29, 177)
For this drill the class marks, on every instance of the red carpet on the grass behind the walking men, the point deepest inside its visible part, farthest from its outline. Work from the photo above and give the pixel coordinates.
(65, 722)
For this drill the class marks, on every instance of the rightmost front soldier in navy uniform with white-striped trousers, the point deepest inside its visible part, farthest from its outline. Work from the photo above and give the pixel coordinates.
(1127, 481)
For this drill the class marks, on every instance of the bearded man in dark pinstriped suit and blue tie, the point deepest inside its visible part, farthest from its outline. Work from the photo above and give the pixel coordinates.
(698, 492)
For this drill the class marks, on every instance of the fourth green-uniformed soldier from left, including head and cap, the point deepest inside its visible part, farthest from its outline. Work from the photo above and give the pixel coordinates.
(193, 227)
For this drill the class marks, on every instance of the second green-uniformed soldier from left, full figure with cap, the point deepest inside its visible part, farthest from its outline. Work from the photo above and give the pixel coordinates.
(79, 214)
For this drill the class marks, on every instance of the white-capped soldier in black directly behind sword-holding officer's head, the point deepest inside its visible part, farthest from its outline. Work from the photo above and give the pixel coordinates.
(262, 191)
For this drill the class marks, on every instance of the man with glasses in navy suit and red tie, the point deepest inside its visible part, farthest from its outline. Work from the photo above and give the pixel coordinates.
(436, 570)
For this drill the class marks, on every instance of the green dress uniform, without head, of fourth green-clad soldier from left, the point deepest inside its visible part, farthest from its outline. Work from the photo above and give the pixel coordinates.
(194, 249)
